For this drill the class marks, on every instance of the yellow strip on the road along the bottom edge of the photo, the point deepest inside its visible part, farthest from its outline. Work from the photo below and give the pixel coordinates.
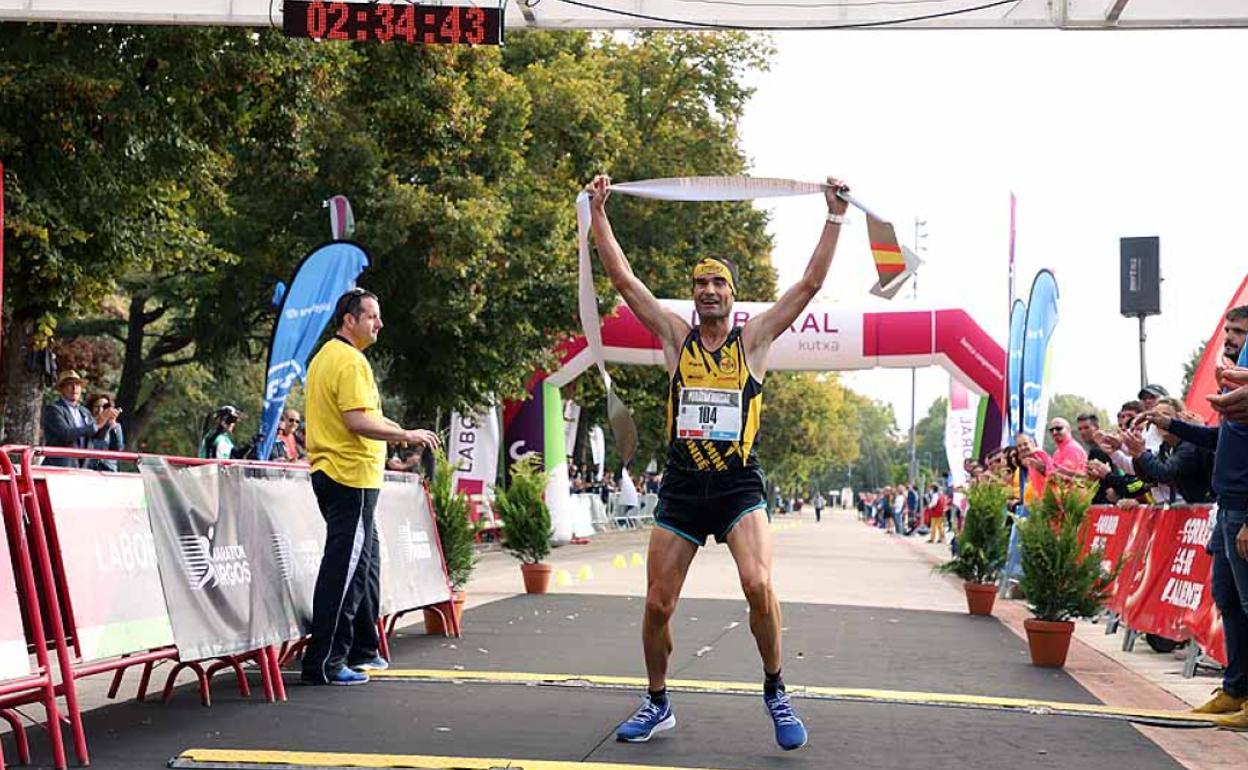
(194, 758)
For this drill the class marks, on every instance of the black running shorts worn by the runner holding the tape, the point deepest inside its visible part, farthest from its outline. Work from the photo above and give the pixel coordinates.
(697, 505)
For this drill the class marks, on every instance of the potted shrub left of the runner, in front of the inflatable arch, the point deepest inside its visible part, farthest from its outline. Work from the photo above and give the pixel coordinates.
(527, 522)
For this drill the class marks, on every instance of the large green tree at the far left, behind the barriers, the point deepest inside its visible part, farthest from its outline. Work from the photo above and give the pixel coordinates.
(120, 153)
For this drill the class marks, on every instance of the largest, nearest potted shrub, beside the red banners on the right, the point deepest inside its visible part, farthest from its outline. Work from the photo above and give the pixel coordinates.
(1059, 583)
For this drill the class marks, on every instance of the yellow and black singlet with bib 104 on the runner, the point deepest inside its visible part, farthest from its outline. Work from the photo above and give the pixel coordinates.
(714, 405)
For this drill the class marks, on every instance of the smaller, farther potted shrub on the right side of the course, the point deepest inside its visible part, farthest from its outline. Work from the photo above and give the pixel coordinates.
(983, 545)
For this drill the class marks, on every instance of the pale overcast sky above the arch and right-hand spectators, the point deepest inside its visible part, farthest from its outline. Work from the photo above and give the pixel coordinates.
(1100, 135)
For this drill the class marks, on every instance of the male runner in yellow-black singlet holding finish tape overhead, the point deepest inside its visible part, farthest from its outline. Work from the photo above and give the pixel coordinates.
(712, 485)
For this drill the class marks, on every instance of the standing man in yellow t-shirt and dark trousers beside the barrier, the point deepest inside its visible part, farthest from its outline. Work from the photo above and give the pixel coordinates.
(346, 442)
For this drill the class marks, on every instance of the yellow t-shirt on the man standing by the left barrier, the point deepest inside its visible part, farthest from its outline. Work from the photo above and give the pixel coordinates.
(341, 380)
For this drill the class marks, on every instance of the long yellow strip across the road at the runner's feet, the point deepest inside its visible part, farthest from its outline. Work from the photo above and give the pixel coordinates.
(798, 691)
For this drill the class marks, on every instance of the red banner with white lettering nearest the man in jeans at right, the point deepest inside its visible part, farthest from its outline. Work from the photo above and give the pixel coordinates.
(1176, 573)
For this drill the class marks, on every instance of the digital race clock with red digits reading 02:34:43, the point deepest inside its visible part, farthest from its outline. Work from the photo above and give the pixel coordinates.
(397, 22)
